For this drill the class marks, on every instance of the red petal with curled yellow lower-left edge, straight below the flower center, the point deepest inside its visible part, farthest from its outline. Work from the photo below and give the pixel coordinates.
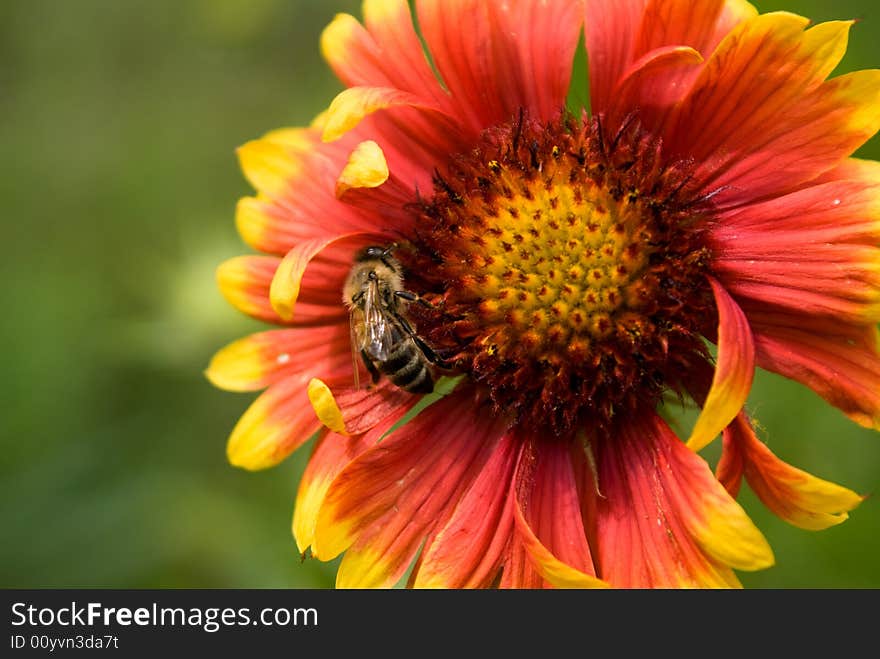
(547, 511)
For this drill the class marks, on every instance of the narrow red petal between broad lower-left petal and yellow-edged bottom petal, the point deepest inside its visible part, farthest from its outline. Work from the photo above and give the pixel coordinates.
(466, 551)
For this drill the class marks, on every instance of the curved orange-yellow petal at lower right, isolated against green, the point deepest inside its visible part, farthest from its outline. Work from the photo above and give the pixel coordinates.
(794, 495)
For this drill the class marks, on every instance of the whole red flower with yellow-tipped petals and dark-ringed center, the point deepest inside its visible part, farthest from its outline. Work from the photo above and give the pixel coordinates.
(571, 267)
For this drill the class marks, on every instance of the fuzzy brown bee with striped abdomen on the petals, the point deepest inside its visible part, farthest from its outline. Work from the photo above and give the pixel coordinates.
(380, 331)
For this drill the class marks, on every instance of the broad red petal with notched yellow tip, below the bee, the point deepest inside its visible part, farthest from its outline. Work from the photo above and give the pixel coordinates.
(383, 505)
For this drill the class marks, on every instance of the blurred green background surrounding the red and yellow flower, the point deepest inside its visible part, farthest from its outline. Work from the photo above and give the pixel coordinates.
(119, 121)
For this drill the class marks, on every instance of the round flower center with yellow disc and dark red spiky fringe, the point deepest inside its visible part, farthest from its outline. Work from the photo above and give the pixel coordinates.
(569, 270)
